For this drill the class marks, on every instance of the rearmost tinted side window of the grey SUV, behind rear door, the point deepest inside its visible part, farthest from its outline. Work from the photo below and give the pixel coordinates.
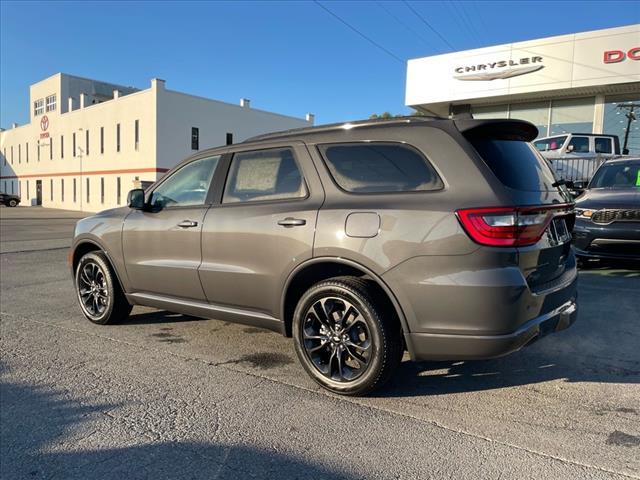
(379, 168)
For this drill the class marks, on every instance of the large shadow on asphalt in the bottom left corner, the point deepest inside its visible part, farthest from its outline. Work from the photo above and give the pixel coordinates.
(38, 420)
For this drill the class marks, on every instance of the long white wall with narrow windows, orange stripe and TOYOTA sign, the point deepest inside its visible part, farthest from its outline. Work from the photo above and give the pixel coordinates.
(52, 160)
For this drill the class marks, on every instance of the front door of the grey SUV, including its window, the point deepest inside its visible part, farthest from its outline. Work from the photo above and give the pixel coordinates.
(161, 244)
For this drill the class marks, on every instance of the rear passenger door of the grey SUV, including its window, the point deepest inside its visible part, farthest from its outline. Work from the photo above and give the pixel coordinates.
(261, 227)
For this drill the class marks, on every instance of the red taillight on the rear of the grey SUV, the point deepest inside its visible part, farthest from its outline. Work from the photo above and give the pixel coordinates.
(508, 226)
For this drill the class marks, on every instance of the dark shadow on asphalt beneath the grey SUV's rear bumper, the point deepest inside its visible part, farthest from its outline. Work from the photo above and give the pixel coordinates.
(590, 351)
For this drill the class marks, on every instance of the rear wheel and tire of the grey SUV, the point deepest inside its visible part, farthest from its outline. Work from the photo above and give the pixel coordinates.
(370, 338)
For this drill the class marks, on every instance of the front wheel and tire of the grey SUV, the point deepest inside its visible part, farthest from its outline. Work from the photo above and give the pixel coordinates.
(98, 291)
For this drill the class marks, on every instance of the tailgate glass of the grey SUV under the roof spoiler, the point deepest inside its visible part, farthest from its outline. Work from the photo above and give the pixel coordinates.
(517, 164)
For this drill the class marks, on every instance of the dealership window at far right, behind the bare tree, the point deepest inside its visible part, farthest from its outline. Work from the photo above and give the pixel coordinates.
(621, 113)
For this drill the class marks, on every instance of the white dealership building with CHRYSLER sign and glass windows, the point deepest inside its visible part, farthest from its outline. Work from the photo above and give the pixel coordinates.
(580, 83)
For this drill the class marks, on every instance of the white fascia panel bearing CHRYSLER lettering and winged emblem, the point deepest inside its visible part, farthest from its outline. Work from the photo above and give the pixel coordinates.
(587, 61)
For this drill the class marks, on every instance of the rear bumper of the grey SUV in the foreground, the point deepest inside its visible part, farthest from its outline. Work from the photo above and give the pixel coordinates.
(473, 307)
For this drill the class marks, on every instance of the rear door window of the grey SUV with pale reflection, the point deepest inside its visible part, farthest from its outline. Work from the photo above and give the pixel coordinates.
(260, 175)
